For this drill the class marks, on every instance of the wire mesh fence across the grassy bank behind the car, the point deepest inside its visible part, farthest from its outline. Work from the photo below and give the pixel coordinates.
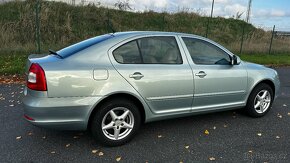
(39, 25)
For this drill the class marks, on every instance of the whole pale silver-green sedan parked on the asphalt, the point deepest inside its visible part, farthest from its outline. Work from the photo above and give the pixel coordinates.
(111, 84)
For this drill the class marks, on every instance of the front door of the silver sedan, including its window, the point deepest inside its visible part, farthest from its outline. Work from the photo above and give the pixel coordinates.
(217, 83)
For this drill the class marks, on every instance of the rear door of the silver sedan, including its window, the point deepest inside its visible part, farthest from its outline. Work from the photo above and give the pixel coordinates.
(157, 69)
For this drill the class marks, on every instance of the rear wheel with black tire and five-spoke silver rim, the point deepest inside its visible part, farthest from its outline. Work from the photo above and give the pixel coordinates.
(116, 122)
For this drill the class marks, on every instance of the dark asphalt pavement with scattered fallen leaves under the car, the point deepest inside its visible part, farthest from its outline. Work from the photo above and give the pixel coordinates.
(218, 137)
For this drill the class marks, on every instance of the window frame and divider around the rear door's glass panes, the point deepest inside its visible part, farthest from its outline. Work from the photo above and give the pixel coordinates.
(139, 49)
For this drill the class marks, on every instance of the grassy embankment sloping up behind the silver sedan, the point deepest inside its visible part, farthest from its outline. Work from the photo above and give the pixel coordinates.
(63, 24)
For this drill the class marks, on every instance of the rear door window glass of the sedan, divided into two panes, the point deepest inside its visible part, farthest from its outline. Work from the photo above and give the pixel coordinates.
(149, 50)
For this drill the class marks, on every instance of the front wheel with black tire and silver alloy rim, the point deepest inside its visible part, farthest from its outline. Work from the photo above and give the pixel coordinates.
(260, 101)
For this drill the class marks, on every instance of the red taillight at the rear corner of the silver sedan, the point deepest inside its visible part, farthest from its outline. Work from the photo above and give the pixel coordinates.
(36, 78)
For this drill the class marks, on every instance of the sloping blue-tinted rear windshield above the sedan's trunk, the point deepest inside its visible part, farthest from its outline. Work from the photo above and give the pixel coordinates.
(65, 52)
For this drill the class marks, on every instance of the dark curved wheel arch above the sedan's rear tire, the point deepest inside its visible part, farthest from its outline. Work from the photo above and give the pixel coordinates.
(128, 96)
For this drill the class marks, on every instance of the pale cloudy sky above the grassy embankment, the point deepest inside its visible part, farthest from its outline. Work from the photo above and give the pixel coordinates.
(264, 13)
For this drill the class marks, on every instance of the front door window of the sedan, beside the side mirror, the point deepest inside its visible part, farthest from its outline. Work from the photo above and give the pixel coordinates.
(205, 53)
